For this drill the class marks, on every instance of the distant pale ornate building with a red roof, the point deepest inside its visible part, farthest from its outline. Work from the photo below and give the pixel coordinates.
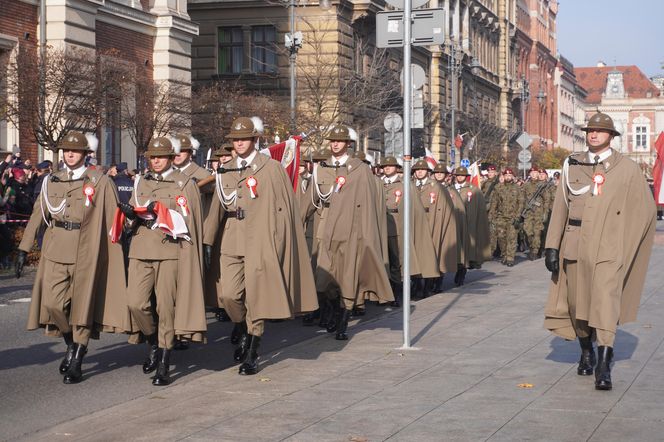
(635, 103)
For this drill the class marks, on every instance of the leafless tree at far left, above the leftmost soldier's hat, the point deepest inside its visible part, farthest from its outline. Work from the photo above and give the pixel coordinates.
(49, 106)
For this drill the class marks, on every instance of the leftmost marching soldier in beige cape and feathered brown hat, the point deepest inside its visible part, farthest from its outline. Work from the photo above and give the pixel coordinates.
(79, 289)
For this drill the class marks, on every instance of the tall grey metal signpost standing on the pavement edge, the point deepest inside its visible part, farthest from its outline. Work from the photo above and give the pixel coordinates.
(407, 99)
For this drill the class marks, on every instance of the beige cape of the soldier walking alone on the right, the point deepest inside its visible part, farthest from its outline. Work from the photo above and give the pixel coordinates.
(614, 245)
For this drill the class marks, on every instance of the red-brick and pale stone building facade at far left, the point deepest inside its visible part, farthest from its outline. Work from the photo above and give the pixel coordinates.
(153, 34)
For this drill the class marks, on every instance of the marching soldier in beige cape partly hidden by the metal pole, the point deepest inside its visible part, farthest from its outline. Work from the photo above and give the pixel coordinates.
(423, 261)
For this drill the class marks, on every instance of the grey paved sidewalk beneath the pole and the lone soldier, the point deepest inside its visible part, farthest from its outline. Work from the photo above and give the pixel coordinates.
(485, 369)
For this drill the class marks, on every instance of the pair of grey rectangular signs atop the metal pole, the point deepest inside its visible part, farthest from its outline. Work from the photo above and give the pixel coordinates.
(427, 28)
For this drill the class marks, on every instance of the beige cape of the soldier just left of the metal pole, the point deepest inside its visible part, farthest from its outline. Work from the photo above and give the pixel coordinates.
(351, 249)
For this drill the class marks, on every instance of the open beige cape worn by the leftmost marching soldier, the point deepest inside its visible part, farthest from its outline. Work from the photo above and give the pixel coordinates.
(98, 284)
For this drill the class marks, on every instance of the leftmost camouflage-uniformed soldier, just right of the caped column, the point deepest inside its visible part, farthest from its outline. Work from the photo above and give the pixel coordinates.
(506, 204)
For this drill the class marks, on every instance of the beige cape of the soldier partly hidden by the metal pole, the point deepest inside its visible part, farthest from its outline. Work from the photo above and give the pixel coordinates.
(423, 258)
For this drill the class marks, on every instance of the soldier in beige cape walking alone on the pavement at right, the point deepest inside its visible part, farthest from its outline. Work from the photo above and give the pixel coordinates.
(598, 247)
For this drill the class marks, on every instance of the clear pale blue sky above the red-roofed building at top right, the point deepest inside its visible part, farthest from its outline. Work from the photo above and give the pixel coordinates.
(614, 31)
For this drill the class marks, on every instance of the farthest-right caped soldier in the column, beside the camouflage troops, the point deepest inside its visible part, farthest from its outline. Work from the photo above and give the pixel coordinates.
(476, 217)
